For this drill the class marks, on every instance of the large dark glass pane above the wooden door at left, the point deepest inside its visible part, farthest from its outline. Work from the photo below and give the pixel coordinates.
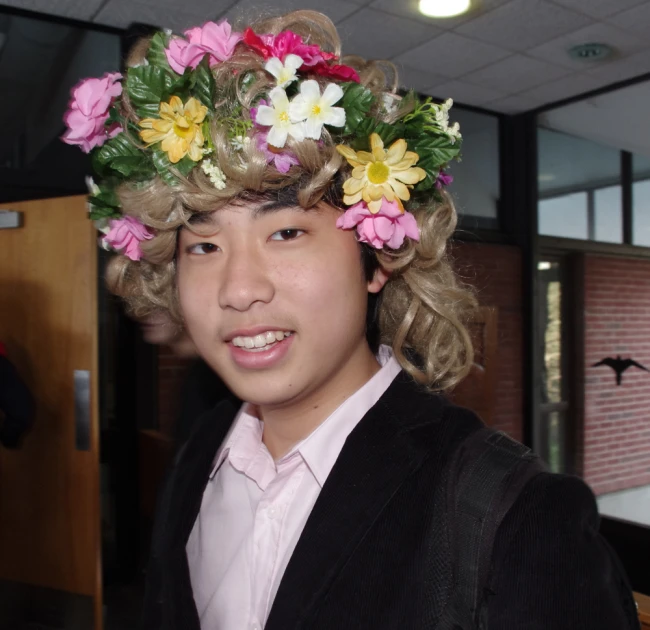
(41, 61)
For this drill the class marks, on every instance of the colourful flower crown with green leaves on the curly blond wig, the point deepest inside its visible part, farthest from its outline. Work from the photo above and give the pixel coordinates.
(176, 100)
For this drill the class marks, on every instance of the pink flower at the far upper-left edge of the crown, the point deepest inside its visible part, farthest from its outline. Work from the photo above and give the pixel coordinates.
(88, 113)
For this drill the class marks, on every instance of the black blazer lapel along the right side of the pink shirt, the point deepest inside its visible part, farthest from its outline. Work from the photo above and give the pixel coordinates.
(377, 457)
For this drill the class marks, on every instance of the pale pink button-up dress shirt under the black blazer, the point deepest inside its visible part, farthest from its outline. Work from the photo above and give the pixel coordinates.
(254, 509)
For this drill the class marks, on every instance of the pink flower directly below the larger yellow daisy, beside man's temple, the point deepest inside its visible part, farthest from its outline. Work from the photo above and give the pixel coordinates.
(388, 227)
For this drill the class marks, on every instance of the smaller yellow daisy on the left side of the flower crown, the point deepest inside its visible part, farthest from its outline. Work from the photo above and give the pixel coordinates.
(178, 128)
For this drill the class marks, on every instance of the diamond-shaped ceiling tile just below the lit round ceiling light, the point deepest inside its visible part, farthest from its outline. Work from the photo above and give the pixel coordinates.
(451, 55)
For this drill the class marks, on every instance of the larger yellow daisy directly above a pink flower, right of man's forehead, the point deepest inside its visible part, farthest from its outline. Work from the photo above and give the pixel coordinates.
(381, 173)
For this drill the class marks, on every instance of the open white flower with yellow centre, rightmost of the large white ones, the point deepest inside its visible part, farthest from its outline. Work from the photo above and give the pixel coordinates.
(316, 110)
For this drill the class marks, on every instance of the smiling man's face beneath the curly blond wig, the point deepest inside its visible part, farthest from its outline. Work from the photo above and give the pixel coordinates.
(275, 300)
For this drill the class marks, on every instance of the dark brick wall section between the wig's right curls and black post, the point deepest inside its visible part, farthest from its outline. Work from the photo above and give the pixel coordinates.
(495, 272)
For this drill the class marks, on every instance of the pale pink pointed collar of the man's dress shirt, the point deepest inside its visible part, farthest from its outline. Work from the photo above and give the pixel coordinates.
(321, 448)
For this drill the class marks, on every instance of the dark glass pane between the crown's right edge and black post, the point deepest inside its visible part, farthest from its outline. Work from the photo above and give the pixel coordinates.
(476, 178)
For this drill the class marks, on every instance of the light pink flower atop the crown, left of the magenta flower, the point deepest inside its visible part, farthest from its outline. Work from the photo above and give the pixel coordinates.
(216, 40)
